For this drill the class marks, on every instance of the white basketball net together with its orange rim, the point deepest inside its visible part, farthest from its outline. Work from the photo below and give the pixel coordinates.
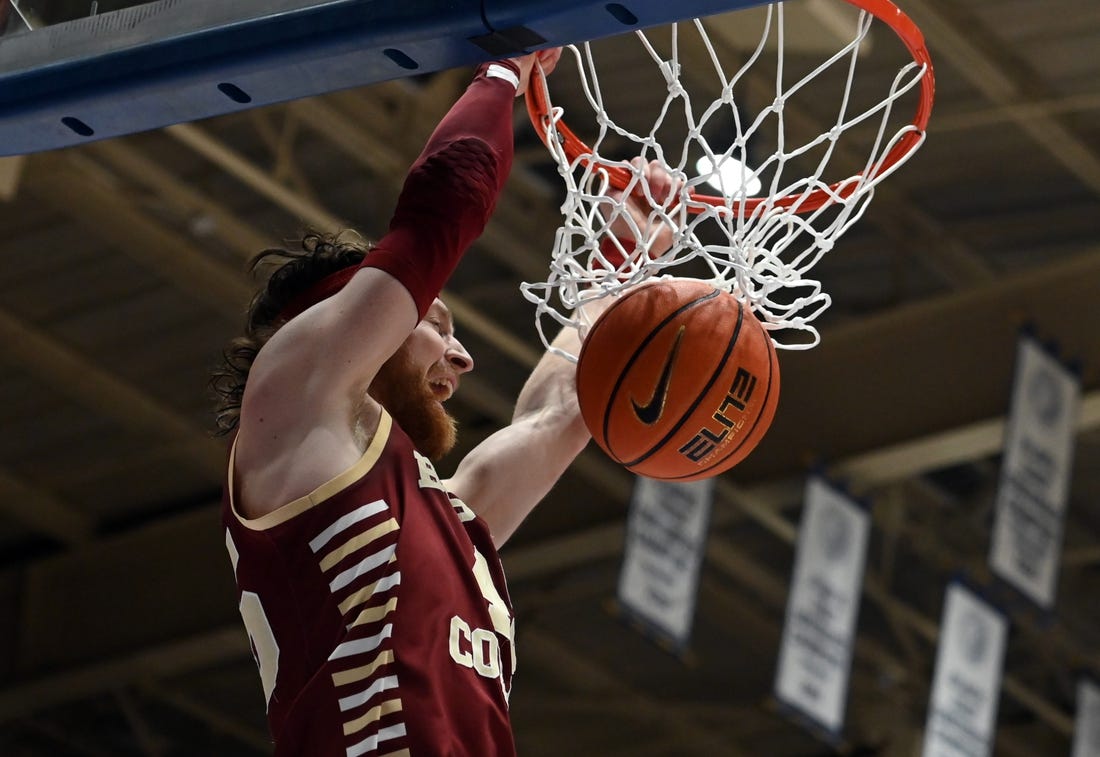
(775, 216)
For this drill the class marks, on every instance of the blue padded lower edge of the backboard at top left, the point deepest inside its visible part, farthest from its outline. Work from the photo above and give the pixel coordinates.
(179, 61)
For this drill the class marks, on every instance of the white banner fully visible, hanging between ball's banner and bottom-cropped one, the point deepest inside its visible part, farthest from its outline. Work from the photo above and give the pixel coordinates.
(822, 609)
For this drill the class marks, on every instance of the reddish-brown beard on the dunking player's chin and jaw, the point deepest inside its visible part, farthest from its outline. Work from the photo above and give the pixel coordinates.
(403, 390)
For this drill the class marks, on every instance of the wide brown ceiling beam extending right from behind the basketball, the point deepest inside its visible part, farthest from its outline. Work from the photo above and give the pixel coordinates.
(877, 382)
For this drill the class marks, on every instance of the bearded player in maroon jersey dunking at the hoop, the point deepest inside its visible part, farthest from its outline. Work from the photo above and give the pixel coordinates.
(370, 588)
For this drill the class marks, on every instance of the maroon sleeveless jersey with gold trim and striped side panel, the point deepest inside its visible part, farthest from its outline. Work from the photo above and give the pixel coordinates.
(378, 612)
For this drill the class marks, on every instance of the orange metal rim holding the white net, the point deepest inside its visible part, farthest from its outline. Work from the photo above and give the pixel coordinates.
(538, 109)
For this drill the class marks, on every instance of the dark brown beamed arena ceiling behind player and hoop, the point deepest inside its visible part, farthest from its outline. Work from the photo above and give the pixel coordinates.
(122, 277)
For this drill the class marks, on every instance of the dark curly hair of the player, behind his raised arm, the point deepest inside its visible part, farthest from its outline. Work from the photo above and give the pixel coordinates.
(287, 275)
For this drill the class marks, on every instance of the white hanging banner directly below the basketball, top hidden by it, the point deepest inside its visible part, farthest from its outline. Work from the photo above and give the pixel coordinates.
(666, 539)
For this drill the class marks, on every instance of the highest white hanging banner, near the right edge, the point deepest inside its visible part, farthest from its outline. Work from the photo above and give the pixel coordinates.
(1036, 473)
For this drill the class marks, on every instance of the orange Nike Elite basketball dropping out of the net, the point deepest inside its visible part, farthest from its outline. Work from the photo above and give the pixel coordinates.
(678, 381)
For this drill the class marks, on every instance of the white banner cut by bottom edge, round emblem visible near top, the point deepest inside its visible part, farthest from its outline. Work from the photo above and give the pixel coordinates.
(967, 684)
